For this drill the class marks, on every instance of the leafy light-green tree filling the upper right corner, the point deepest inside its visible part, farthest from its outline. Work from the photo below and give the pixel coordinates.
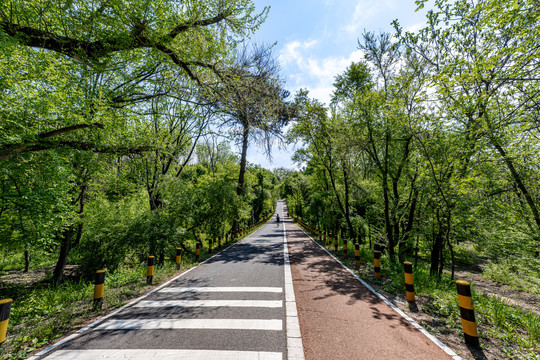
(482, 58)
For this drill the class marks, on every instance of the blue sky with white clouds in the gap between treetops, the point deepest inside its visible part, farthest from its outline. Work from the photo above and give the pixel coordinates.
(318, 39)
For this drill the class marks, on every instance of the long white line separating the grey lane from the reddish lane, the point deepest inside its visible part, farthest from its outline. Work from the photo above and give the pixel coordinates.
(295, 348)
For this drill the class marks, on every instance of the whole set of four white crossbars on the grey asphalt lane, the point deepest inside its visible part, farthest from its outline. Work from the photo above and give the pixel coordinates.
(183, 298)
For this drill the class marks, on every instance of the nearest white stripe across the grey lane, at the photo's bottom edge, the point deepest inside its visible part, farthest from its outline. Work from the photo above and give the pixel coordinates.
(166, 354)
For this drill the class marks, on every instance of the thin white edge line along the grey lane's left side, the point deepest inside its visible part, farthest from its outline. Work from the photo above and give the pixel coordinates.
(92, 325)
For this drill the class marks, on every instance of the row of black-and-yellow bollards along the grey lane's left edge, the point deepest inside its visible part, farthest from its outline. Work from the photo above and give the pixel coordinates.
(99, 280)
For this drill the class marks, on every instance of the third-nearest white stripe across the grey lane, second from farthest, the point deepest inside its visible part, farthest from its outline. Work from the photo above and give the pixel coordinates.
(211, 303)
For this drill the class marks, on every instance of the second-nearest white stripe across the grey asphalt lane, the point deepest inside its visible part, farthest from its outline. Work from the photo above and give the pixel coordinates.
(235, 324)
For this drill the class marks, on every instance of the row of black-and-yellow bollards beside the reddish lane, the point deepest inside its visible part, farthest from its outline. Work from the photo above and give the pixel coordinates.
(466, 309)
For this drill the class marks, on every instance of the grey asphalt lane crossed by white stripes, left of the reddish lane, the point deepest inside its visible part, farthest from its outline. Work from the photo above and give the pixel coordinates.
(231, 307)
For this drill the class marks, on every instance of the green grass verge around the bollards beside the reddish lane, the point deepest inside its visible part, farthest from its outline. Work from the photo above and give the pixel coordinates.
(514, 331)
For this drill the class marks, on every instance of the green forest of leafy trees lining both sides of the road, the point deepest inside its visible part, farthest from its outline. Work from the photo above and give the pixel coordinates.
(124, 130)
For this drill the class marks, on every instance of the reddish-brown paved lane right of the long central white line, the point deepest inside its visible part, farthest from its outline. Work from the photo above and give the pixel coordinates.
(341, 319)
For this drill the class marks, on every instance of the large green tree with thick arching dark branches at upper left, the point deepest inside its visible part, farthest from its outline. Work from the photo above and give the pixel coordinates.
(81, 71)
